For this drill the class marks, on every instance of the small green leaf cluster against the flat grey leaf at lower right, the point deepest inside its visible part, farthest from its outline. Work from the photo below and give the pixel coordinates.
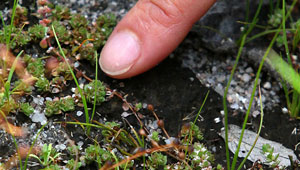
(271, 157)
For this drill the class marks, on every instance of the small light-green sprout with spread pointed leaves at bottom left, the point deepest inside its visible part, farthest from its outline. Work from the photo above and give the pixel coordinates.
(48, 155)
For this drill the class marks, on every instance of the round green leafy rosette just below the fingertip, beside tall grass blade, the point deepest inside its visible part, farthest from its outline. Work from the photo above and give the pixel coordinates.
(91, 92)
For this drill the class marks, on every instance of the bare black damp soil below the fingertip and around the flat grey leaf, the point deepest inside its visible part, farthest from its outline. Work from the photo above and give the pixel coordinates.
(177, 96)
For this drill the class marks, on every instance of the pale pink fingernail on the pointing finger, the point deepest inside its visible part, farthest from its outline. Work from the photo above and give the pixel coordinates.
(120, 53)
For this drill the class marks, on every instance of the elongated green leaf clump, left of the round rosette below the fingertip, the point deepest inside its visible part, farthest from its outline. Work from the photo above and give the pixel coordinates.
(59, 106)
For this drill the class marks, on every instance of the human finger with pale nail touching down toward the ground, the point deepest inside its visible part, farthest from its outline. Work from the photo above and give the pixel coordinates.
(150, 31)
